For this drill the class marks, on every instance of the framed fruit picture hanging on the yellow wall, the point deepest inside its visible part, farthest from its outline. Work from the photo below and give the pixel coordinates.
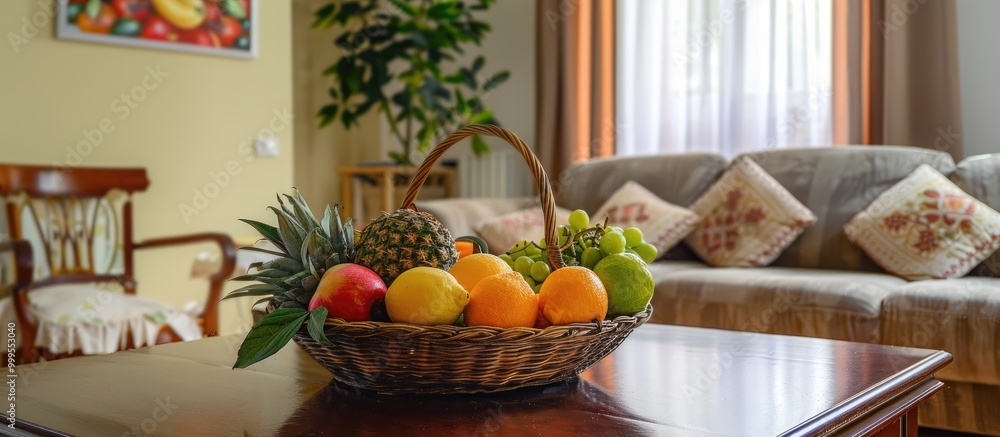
(212, 27)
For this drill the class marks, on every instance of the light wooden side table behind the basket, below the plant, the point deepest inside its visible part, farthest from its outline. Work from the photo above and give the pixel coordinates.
(386, 176)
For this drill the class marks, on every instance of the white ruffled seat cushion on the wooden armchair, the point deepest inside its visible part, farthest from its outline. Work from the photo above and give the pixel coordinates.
(98, 321)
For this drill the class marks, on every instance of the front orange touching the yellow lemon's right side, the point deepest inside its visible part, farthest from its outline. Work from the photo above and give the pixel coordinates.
(504, 300)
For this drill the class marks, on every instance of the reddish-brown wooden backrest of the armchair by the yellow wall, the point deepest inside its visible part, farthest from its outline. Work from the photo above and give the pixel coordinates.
(79, 220)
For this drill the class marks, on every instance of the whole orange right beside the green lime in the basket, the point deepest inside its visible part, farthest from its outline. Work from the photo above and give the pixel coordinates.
(571, 295)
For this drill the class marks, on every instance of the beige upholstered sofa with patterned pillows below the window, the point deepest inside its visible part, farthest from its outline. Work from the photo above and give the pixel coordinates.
(822, 285)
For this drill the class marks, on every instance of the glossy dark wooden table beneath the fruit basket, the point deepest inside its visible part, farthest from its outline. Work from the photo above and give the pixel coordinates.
(664, 380)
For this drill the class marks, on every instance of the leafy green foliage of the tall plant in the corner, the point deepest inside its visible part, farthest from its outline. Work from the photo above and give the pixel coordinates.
(400, 58)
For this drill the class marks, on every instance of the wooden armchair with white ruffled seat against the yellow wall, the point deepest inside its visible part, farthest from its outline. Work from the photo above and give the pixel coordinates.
(79, 222)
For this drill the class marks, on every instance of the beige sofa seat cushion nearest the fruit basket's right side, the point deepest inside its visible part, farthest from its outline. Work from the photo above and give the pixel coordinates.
(840, 305)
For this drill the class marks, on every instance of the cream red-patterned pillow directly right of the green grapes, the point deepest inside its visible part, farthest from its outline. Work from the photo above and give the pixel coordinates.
(663, 224)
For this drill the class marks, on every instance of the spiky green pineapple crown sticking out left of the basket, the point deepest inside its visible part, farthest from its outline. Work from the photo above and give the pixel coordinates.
(306, 248)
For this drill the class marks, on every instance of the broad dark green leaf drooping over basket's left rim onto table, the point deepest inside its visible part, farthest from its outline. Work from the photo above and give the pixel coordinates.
(269, 335)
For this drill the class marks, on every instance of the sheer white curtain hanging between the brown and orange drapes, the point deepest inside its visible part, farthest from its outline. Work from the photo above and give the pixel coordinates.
(723, 76)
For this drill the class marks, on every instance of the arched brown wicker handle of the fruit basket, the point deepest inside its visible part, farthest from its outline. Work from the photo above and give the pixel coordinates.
(541, 179)
